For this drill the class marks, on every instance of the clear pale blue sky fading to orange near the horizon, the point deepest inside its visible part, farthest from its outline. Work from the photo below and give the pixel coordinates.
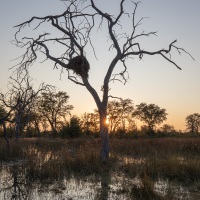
(151, 80)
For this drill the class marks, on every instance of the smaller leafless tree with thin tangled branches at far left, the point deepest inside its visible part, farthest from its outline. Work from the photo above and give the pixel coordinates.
(19, 96)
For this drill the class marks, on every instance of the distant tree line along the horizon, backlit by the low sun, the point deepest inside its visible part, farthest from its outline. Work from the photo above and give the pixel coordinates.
(25, 112)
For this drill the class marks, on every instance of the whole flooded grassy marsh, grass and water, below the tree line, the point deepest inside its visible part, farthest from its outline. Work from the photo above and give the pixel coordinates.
(72, 169)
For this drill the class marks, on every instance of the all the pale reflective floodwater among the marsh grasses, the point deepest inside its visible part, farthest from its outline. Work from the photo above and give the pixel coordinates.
(15, 183)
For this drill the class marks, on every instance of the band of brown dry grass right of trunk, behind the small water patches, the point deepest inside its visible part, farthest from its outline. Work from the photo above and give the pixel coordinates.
(157, 146)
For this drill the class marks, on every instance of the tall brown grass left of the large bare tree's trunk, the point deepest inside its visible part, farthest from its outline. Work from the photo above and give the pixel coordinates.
(49, 158)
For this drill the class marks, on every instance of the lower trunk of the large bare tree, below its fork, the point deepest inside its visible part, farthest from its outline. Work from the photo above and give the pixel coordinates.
(104, 137)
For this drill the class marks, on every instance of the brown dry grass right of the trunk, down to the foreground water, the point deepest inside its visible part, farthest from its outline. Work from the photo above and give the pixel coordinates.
(169, 159)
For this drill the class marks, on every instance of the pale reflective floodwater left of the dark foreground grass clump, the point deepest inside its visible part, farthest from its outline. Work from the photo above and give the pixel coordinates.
(16, 184)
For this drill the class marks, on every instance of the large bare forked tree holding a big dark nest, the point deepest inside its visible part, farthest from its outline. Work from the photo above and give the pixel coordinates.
(73, 33)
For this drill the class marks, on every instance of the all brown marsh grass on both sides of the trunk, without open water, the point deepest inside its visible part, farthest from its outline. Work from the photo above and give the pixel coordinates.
(173, 160)
